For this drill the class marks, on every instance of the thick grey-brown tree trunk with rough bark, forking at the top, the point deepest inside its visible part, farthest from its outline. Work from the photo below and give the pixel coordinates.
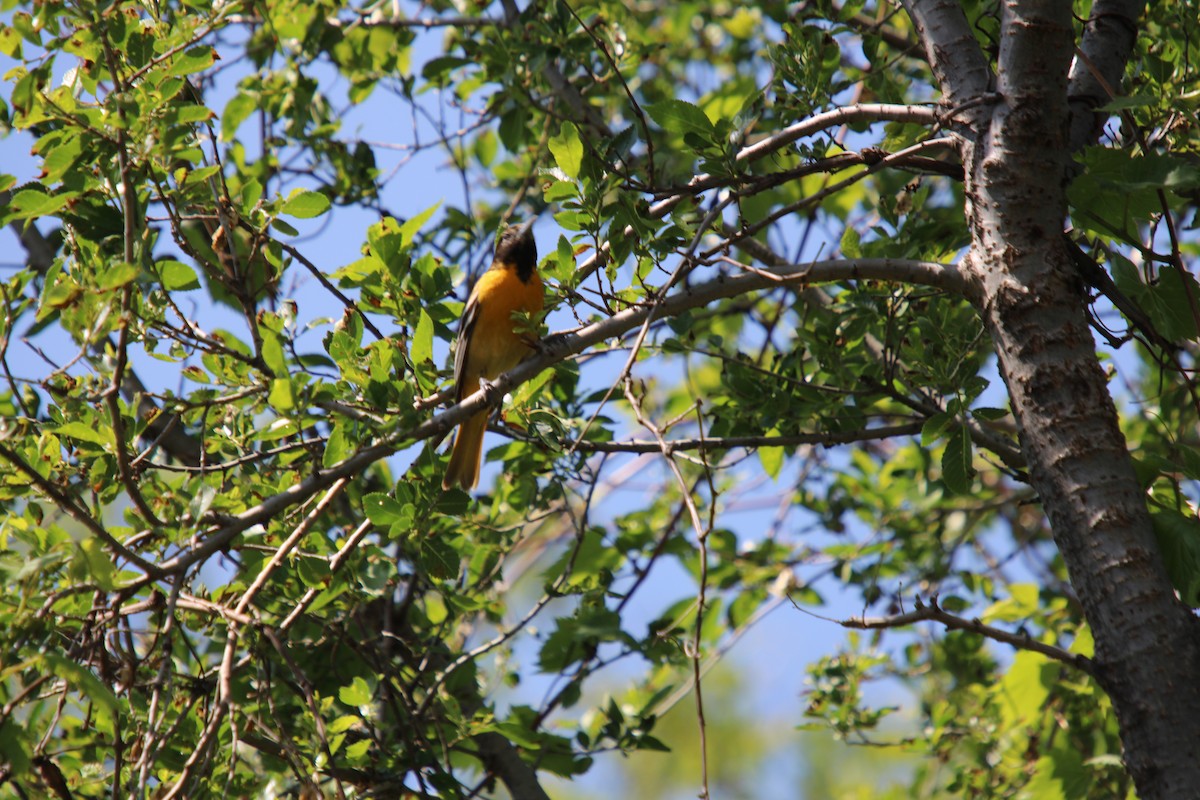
(1017, 158)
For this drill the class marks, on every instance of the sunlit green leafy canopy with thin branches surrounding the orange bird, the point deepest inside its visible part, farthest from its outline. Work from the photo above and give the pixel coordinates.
(231, 563)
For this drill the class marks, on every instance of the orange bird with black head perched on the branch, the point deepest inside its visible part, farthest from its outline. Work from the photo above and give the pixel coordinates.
(488, 345)
